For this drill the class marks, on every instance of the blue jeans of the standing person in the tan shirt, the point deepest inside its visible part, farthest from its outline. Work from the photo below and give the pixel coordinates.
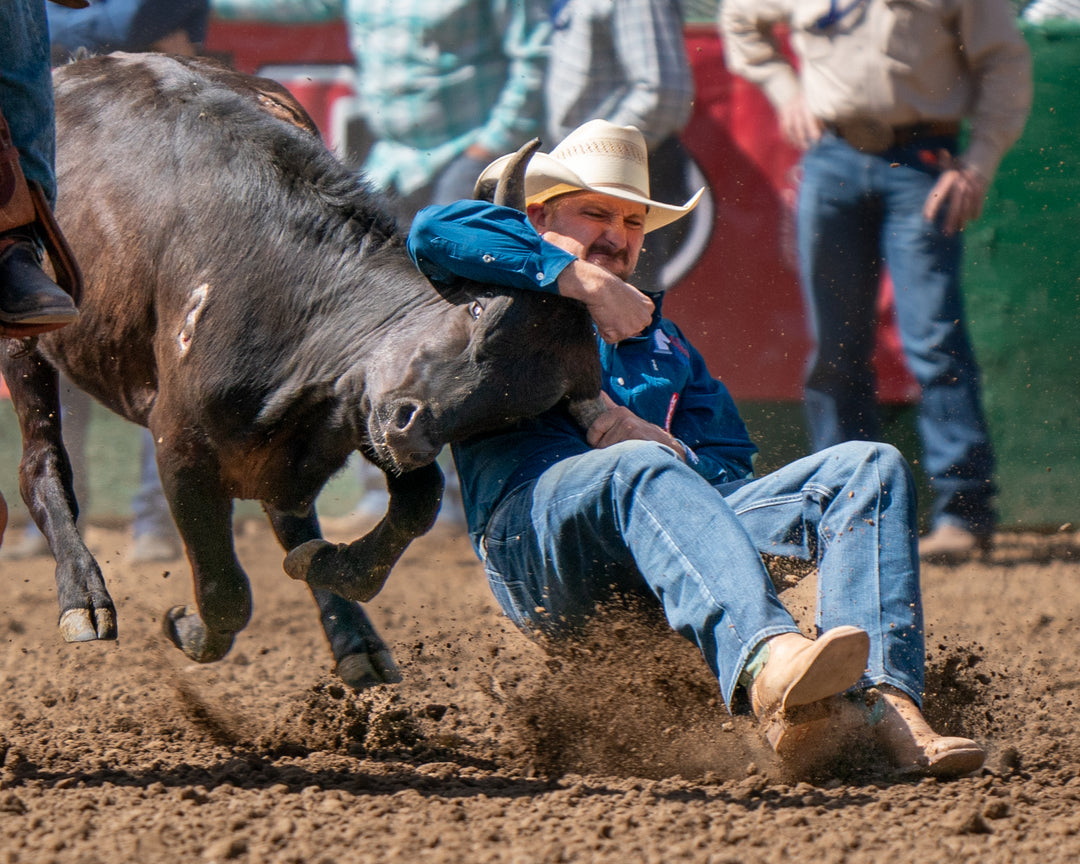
(857, 213)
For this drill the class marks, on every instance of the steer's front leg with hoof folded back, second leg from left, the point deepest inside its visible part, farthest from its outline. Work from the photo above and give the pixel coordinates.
(204, 515)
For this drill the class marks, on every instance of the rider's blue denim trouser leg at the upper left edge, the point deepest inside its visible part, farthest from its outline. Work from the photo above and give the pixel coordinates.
(26, 90)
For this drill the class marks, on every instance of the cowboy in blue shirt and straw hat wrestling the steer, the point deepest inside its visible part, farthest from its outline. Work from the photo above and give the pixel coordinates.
(658, 499)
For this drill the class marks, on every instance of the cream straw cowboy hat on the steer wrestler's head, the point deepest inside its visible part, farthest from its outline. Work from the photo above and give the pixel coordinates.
(597, 157)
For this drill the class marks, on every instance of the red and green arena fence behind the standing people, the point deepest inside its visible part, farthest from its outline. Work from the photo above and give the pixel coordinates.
(740, 303)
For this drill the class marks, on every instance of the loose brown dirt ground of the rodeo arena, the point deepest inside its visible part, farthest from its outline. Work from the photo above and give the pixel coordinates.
(492, 750)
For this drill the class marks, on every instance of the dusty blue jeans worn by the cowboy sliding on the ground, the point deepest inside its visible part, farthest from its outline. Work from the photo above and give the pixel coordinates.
(634, 520)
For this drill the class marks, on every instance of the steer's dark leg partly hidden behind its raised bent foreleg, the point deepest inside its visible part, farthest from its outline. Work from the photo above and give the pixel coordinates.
(363, 658)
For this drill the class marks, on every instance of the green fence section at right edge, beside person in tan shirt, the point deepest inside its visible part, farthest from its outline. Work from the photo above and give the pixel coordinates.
(1022, 289)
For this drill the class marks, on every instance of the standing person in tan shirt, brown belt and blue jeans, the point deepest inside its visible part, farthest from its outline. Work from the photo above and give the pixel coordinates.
(877, 104)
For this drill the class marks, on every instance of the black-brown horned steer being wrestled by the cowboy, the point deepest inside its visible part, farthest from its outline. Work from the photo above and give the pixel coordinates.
(250, 302)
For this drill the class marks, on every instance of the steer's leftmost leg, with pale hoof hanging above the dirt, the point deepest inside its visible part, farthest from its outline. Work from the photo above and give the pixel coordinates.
(46, 483)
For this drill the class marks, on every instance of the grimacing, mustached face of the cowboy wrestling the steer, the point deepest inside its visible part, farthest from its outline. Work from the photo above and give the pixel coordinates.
(601, 229)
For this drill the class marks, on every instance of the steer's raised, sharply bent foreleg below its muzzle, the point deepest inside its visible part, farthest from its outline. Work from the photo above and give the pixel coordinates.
(358, 571)
